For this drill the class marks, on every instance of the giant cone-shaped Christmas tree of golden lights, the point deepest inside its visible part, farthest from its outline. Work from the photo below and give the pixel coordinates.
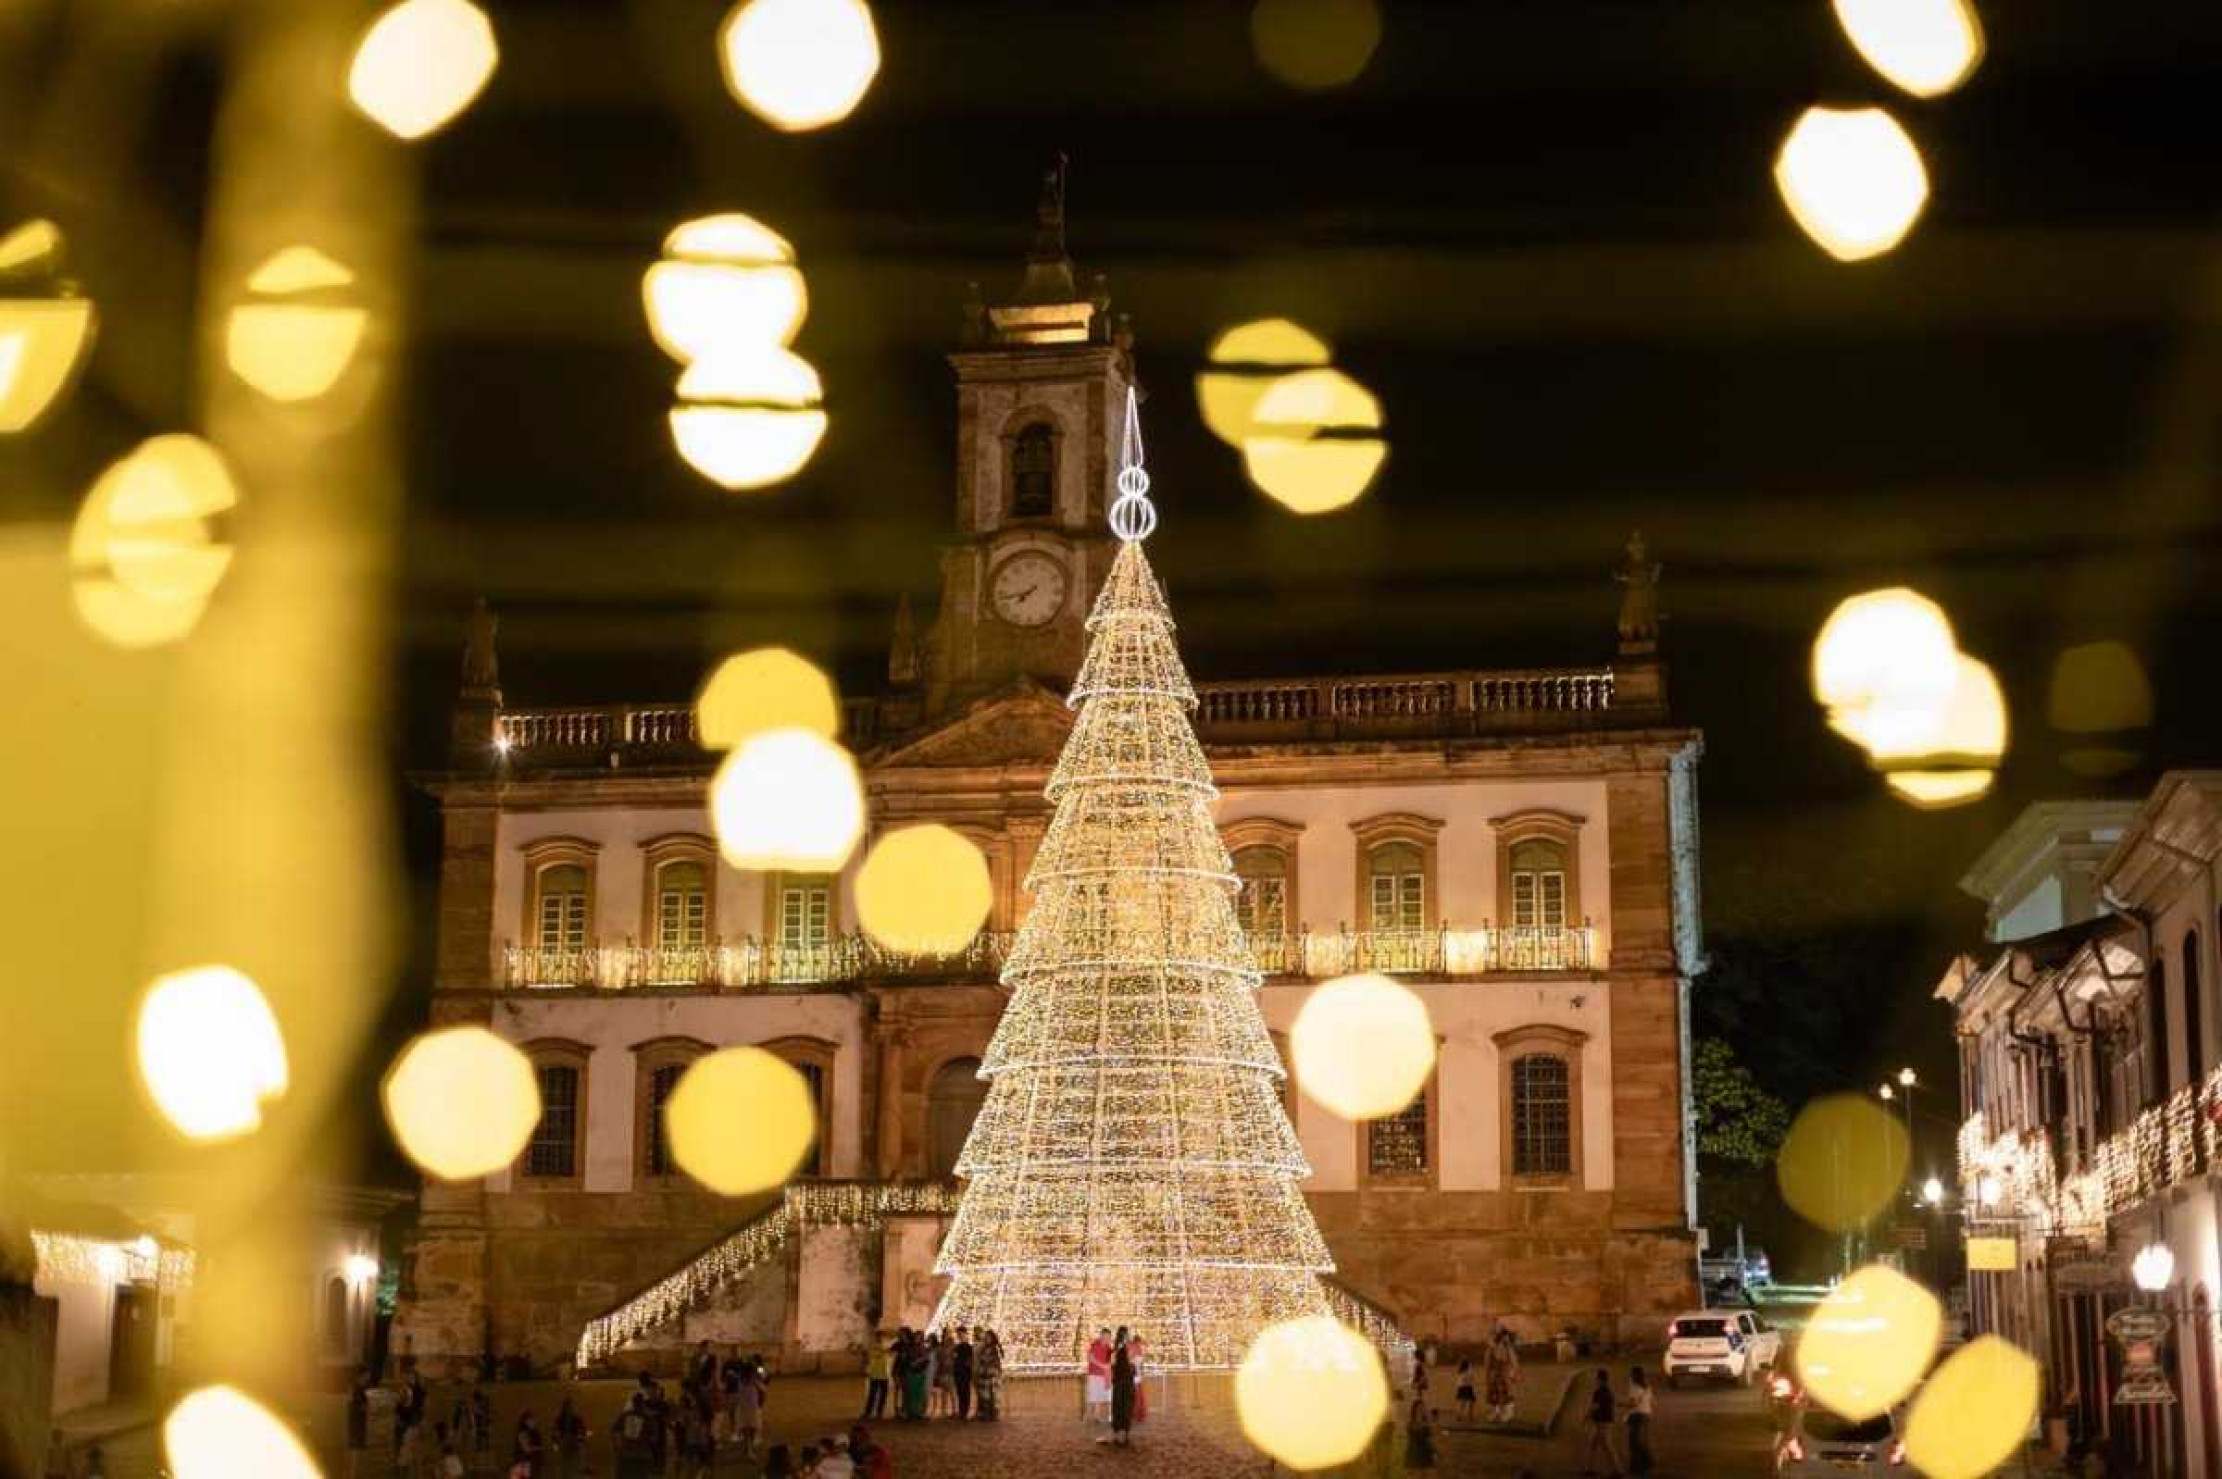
(1132, 1165)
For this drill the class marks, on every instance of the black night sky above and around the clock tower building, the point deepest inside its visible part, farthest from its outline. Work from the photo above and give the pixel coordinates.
(1543, 234)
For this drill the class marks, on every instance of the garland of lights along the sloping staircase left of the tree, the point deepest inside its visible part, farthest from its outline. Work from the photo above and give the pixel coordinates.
(805, 1205)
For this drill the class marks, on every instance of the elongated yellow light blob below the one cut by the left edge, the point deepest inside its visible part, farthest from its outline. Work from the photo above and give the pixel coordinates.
(143, 556)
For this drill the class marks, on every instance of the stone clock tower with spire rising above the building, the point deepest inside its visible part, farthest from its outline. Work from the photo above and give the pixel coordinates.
(1041, 390)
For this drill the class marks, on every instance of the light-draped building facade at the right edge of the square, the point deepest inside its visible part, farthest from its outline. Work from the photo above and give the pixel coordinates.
(2092, 1107)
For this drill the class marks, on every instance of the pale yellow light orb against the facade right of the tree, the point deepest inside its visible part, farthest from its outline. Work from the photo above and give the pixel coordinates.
(1363, 1047)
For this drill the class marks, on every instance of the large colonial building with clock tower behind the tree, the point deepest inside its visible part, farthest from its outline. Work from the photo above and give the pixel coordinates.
(1521, 847)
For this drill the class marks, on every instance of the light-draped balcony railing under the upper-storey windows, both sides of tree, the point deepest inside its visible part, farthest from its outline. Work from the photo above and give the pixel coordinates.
(743, 965)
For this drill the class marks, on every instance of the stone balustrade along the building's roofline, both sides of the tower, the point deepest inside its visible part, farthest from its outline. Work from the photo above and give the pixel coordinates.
(1228, 712)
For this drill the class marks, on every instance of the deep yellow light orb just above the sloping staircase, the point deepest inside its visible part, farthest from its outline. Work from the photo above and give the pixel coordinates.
(741, 1120)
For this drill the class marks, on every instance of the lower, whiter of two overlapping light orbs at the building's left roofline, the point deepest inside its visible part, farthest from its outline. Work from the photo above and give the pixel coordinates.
(788, 798)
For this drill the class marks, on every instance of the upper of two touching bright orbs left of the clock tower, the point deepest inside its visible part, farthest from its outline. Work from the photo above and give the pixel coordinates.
(723, 281)
